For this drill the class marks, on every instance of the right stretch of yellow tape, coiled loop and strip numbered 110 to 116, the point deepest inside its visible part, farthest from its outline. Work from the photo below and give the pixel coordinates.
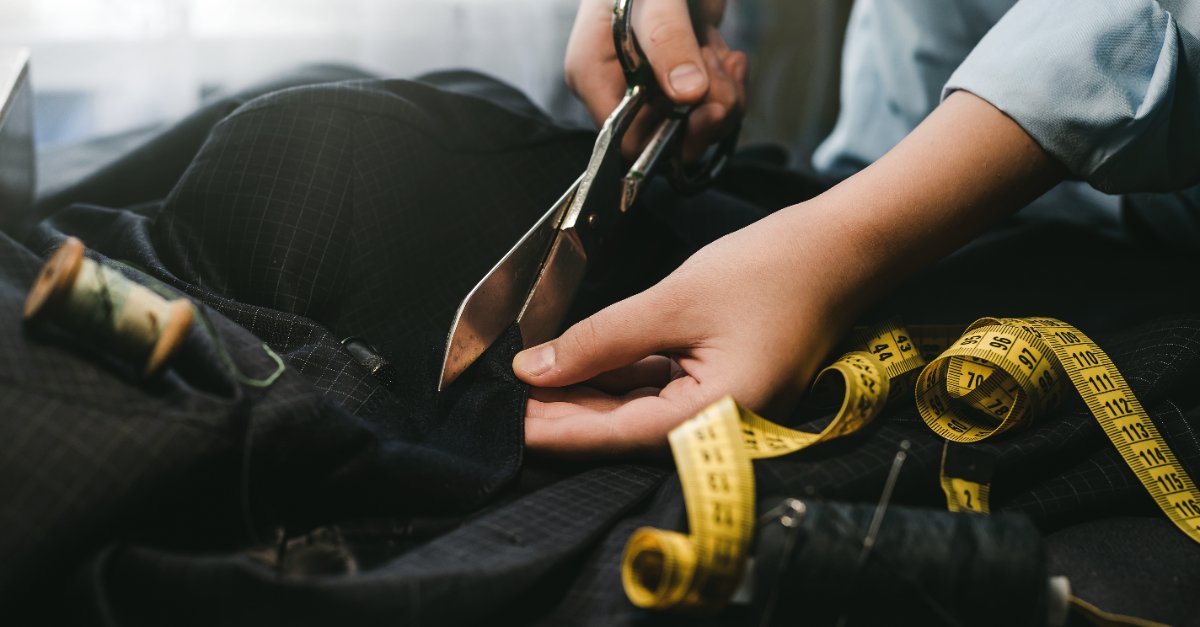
(1033, 355)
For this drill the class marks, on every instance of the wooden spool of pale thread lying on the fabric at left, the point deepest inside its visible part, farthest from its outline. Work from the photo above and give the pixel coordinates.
(107, 310)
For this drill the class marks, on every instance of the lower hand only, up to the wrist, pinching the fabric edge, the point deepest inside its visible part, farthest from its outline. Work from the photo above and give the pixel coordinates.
(752, 315)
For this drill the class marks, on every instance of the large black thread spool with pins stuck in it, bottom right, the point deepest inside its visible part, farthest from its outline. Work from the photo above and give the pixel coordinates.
(926, 568)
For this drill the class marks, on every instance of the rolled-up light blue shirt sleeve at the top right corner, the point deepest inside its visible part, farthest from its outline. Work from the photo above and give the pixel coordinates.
(1111, 88)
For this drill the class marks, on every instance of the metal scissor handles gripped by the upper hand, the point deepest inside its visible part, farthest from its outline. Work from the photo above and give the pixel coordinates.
(686, 180)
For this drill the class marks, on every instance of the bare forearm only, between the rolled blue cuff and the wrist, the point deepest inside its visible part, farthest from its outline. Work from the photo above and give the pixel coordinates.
(958, 174)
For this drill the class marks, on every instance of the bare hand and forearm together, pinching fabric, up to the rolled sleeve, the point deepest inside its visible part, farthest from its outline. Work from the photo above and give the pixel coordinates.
(757, 313)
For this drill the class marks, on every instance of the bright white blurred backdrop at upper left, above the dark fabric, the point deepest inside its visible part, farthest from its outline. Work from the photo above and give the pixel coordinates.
(104, 67)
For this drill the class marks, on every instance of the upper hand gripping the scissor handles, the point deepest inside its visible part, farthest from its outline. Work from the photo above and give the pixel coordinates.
(712, 75)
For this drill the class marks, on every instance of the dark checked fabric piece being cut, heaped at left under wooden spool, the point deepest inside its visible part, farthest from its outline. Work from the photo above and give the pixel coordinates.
(309, 216)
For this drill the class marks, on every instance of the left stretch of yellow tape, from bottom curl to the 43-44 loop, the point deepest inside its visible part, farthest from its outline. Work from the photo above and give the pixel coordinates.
(713, 453)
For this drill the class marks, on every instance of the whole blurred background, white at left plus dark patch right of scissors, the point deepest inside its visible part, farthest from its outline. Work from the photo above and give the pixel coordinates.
(105, 68)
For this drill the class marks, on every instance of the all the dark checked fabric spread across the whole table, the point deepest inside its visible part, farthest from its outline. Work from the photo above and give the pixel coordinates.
(368, 210)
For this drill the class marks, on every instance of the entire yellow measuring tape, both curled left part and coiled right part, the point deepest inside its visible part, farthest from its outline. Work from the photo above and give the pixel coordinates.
(1001, 373)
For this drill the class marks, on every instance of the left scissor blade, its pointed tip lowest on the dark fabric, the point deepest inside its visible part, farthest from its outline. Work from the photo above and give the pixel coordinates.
(499, 300)
